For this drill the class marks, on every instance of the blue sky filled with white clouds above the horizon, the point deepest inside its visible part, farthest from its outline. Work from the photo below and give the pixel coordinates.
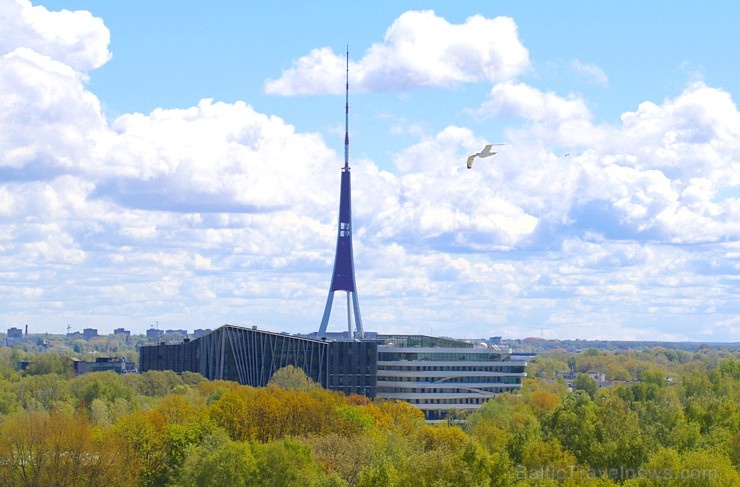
(177, 165)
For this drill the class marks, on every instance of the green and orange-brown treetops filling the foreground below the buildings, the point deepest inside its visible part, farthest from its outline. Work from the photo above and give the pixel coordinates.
(676, 421)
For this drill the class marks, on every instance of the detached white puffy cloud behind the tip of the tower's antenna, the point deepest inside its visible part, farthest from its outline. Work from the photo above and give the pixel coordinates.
(419, 50)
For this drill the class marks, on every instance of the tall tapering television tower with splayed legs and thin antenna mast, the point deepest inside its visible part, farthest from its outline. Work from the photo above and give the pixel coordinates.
(343, 275)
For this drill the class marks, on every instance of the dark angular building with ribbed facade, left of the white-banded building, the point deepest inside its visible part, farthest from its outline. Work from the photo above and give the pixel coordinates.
(250, 356)
